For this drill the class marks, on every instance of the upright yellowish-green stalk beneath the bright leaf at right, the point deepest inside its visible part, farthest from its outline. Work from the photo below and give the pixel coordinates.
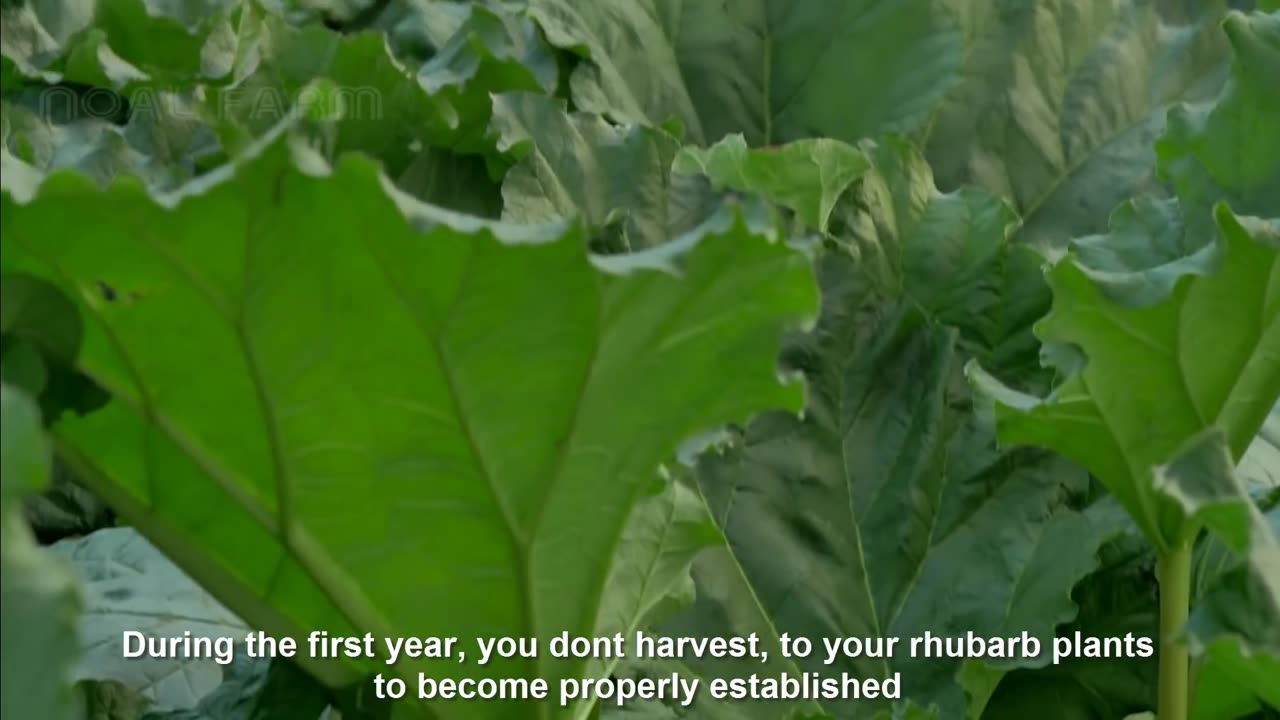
(1174, 572)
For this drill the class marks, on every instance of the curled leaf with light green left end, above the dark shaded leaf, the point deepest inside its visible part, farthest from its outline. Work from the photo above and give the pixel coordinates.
(947, 253)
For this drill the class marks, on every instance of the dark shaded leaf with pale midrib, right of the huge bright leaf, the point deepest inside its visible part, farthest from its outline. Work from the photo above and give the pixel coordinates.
(889, 512)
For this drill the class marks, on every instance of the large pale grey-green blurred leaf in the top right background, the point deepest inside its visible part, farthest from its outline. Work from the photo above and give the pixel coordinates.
(1062, 101)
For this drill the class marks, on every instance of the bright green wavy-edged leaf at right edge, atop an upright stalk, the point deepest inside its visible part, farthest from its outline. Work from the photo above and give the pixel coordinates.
(1159, 375)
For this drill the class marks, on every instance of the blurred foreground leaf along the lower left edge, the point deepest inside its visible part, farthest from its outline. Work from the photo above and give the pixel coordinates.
(40, 596)
